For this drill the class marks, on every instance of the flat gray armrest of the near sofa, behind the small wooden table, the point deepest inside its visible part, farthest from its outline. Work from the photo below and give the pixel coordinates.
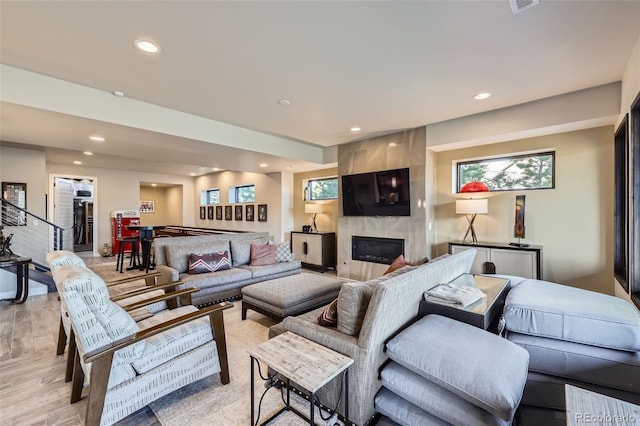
(328, 337)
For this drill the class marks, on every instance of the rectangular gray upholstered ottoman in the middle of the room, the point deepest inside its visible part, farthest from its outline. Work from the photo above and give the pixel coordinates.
(291, 295)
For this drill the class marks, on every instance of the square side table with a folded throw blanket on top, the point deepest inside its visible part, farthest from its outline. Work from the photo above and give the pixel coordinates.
(479, 314)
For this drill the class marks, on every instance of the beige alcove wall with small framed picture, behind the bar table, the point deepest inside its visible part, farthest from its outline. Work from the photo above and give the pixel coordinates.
(168, 203)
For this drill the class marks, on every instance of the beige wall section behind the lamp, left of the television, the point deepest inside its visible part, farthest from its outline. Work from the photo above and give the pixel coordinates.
(327, 221)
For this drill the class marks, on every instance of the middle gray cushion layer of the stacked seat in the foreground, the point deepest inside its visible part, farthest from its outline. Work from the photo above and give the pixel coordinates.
(435, 399)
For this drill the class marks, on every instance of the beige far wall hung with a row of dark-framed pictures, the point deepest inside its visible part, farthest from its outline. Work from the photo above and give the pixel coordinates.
(273, 189)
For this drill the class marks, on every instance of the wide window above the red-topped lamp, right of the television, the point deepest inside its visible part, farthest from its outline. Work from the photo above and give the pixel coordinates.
(515, 172)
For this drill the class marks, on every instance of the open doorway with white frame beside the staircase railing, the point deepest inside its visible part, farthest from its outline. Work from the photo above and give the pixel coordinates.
(73, 207)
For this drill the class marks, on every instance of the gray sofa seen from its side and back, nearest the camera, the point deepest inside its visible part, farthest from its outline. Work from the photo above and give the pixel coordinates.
(369, 314)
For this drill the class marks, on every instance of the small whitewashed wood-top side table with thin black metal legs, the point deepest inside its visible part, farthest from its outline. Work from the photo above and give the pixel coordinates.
(304, 362)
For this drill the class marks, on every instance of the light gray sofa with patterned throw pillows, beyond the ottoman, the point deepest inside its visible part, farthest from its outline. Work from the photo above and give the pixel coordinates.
(221, 285)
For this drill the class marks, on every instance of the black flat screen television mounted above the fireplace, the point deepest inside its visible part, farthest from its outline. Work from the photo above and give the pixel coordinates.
(384, 193)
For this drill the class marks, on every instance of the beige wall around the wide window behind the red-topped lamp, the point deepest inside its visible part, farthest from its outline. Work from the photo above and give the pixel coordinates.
(573, 222)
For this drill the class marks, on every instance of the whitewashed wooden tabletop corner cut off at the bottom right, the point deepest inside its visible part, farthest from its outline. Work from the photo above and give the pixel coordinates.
(586, 407)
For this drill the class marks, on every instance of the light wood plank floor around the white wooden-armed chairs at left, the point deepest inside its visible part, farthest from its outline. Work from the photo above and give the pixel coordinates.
(32, 387)
